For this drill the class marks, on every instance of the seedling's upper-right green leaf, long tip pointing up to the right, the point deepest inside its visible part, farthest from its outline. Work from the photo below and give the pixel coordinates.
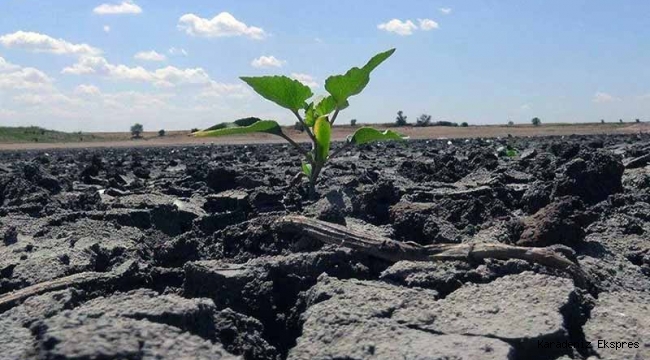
(341, 87)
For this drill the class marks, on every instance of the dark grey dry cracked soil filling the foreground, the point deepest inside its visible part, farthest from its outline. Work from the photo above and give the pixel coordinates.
(172, 253)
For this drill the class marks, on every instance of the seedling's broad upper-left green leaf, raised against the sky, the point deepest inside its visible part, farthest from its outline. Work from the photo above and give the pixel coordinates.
(286, 92)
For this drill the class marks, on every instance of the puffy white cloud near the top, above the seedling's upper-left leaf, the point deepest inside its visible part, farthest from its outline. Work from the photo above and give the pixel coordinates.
(222, 25)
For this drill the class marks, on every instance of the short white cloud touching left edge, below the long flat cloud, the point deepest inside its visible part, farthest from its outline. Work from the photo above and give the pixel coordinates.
(14, 77)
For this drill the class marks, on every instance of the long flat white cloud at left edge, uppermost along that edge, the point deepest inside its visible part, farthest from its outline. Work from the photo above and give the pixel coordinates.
(36, 42)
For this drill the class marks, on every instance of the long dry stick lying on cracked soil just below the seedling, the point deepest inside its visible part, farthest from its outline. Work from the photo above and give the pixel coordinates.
(391, 250)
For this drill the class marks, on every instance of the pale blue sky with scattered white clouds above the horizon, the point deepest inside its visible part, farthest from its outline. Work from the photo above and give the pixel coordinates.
(102, 65)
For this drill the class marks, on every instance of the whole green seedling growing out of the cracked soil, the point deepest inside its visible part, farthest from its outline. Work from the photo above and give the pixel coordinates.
(317, 117)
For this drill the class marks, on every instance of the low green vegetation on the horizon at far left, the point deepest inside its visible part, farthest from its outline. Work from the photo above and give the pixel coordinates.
(36, 134)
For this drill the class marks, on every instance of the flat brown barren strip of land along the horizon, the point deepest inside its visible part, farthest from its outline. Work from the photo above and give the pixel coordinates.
(180, 138)
